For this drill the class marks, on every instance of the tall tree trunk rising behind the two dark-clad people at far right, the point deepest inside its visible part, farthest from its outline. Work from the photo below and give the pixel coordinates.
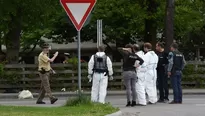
(169, 30)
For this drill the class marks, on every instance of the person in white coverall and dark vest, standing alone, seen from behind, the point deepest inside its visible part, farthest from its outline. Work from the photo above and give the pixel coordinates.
(99, 69)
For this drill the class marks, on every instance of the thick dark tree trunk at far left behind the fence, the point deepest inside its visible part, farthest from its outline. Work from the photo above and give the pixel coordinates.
(12, 39)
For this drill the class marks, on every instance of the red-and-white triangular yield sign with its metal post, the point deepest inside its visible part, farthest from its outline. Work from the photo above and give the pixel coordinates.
(78, 12)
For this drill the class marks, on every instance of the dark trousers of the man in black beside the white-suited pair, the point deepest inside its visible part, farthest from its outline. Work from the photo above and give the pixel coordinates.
(163, 85)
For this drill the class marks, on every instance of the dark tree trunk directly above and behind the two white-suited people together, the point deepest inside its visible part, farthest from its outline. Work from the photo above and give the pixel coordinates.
(150, 23)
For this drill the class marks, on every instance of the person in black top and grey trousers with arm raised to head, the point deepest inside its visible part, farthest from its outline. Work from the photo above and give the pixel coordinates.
(129, 73)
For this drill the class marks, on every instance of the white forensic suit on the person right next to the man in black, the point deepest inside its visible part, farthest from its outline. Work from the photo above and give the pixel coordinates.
(151, 60)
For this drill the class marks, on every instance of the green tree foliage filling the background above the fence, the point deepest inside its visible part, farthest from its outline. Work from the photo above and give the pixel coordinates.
(23, 23)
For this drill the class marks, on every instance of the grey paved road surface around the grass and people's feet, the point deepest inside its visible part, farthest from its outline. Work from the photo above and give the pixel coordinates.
(194, 105)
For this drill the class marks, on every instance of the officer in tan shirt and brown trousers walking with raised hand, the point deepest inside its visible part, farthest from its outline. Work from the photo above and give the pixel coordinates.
(44, 69)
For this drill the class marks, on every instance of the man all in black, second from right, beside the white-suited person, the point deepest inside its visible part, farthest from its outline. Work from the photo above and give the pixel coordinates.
(161, 73)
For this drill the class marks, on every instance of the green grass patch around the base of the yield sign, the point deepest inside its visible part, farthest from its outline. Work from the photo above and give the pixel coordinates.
(74, 107)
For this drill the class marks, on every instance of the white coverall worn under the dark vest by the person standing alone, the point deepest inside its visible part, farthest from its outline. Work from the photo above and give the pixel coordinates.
(99, 81)
